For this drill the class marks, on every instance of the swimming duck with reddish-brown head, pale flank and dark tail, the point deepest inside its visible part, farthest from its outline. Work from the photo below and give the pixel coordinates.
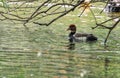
(75, 37)
